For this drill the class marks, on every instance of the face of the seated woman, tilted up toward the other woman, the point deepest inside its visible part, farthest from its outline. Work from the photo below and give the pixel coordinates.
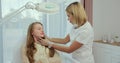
(38, 30)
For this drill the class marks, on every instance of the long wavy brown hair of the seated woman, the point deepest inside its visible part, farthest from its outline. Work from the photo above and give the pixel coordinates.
(30, 44)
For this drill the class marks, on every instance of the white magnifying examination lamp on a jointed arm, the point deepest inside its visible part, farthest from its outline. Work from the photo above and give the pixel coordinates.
(46, 7)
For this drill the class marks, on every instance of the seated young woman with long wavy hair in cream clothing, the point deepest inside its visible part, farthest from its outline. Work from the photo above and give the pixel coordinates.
(34, 52)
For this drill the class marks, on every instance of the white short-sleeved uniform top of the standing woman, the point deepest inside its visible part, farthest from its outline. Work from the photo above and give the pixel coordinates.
(84, 35)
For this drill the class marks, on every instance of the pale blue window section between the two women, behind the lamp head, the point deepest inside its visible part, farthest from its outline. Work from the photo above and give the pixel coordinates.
(56, 23)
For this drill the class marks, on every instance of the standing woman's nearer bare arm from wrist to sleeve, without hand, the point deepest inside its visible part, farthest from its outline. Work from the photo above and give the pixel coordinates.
(74, 46)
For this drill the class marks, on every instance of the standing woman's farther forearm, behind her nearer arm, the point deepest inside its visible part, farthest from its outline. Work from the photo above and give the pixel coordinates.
(60, 40)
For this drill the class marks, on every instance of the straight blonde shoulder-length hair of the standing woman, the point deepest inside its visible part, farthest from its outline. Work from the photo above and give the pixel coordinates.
(78, 13)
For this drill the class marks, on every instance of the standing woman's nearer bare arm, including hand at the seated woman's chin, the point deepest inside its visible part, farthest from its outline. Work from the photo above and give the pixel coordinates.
(74, 46)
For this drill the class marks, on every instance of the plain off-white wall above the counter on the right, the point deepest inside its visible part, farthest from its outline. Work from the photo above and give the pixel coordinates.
(106, 17)
